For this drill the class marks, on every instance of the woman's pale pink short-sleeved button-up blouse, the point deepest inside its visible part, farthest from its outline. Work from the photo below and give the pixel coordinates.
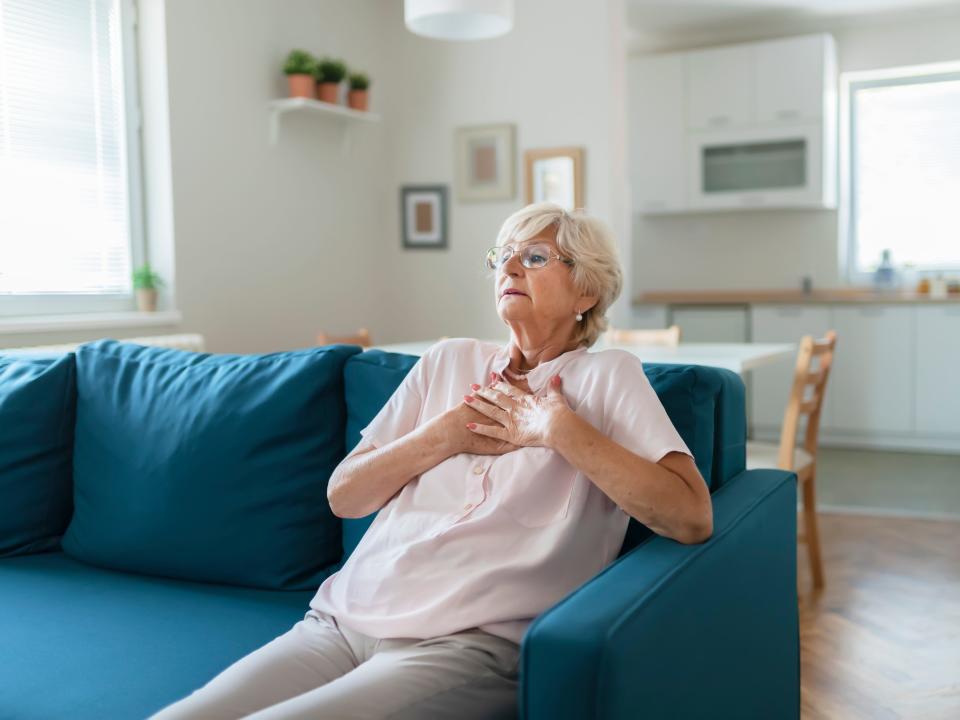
(492, 541)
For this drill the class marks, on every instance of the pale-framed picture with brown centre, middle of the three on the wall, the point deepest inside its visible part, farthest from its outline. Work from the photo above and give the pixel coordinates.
(485, 162)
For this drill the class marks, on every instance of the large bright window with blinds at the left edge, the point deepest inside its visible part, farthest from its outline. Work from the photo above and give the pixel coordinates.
(70, 184)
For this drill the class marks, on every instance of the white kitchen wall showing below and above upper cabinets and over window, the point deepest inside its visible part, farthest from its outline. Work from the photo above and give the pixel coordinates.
(774, 249)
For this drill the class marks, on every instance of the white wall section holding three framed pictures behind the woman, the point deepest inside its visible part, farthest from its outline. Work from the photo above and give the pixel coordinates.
(554, 76)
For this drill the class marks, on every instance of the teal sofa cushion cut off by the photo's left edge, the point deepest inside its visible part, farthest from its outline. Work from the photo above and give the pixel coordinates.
(38, 399)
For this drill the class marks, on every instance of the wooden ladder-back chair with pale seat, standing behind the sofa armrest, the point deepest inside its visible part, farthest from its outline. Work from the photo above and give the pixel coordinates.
(802, 460)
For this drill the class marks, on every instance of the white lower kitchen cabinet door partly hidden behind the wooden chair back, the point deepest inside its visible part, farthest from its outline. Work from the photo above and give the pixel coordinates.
(772, 383)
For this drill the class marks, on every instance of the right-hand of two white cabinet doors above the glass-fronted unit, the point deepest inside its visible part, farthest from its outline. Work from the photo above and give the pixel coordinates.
(790, 79)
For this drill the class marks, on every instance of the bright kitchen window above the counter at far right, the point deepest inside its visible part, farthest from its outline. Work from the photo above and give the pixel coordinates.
(901, 160)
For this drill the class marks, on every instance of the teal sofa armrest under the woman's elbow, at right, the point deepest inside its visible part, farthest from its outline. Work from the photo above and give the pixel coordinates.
(681, 631)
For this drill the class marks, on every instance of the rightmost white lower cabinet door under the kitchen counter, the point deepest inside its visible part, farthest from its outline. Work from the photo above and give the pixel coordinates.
(937, 362)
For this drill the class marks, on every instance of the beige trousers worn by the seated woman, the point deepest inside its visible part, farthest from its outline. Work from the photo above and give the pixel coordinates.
(321, 670)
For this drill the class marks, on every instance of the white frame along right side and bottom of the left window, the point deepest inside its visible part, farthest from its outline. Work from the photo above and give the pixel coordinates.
(31, 304)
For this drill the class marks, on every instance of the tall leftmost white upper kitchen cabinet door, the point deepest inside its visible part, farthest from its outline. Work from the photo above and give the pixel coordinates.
(656, 131)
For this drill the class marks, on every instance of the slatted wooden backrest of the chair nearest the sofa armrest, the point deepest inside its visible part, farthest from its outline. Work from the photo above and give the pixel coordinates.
(806, 404)
